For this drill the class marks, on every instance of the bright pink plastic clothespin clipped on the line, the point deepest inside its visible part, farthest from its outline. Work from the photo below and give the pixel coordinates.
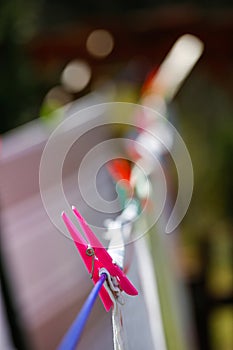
(96, 257)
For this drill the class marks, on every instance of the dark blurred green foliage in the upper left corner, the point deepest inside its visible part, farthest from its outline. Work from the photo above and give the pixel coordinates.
(20, 87)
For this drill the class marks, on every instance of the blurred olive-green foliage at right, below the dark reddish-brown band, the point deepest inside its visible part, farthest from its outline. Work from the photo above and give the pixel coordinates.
(206, 124)
